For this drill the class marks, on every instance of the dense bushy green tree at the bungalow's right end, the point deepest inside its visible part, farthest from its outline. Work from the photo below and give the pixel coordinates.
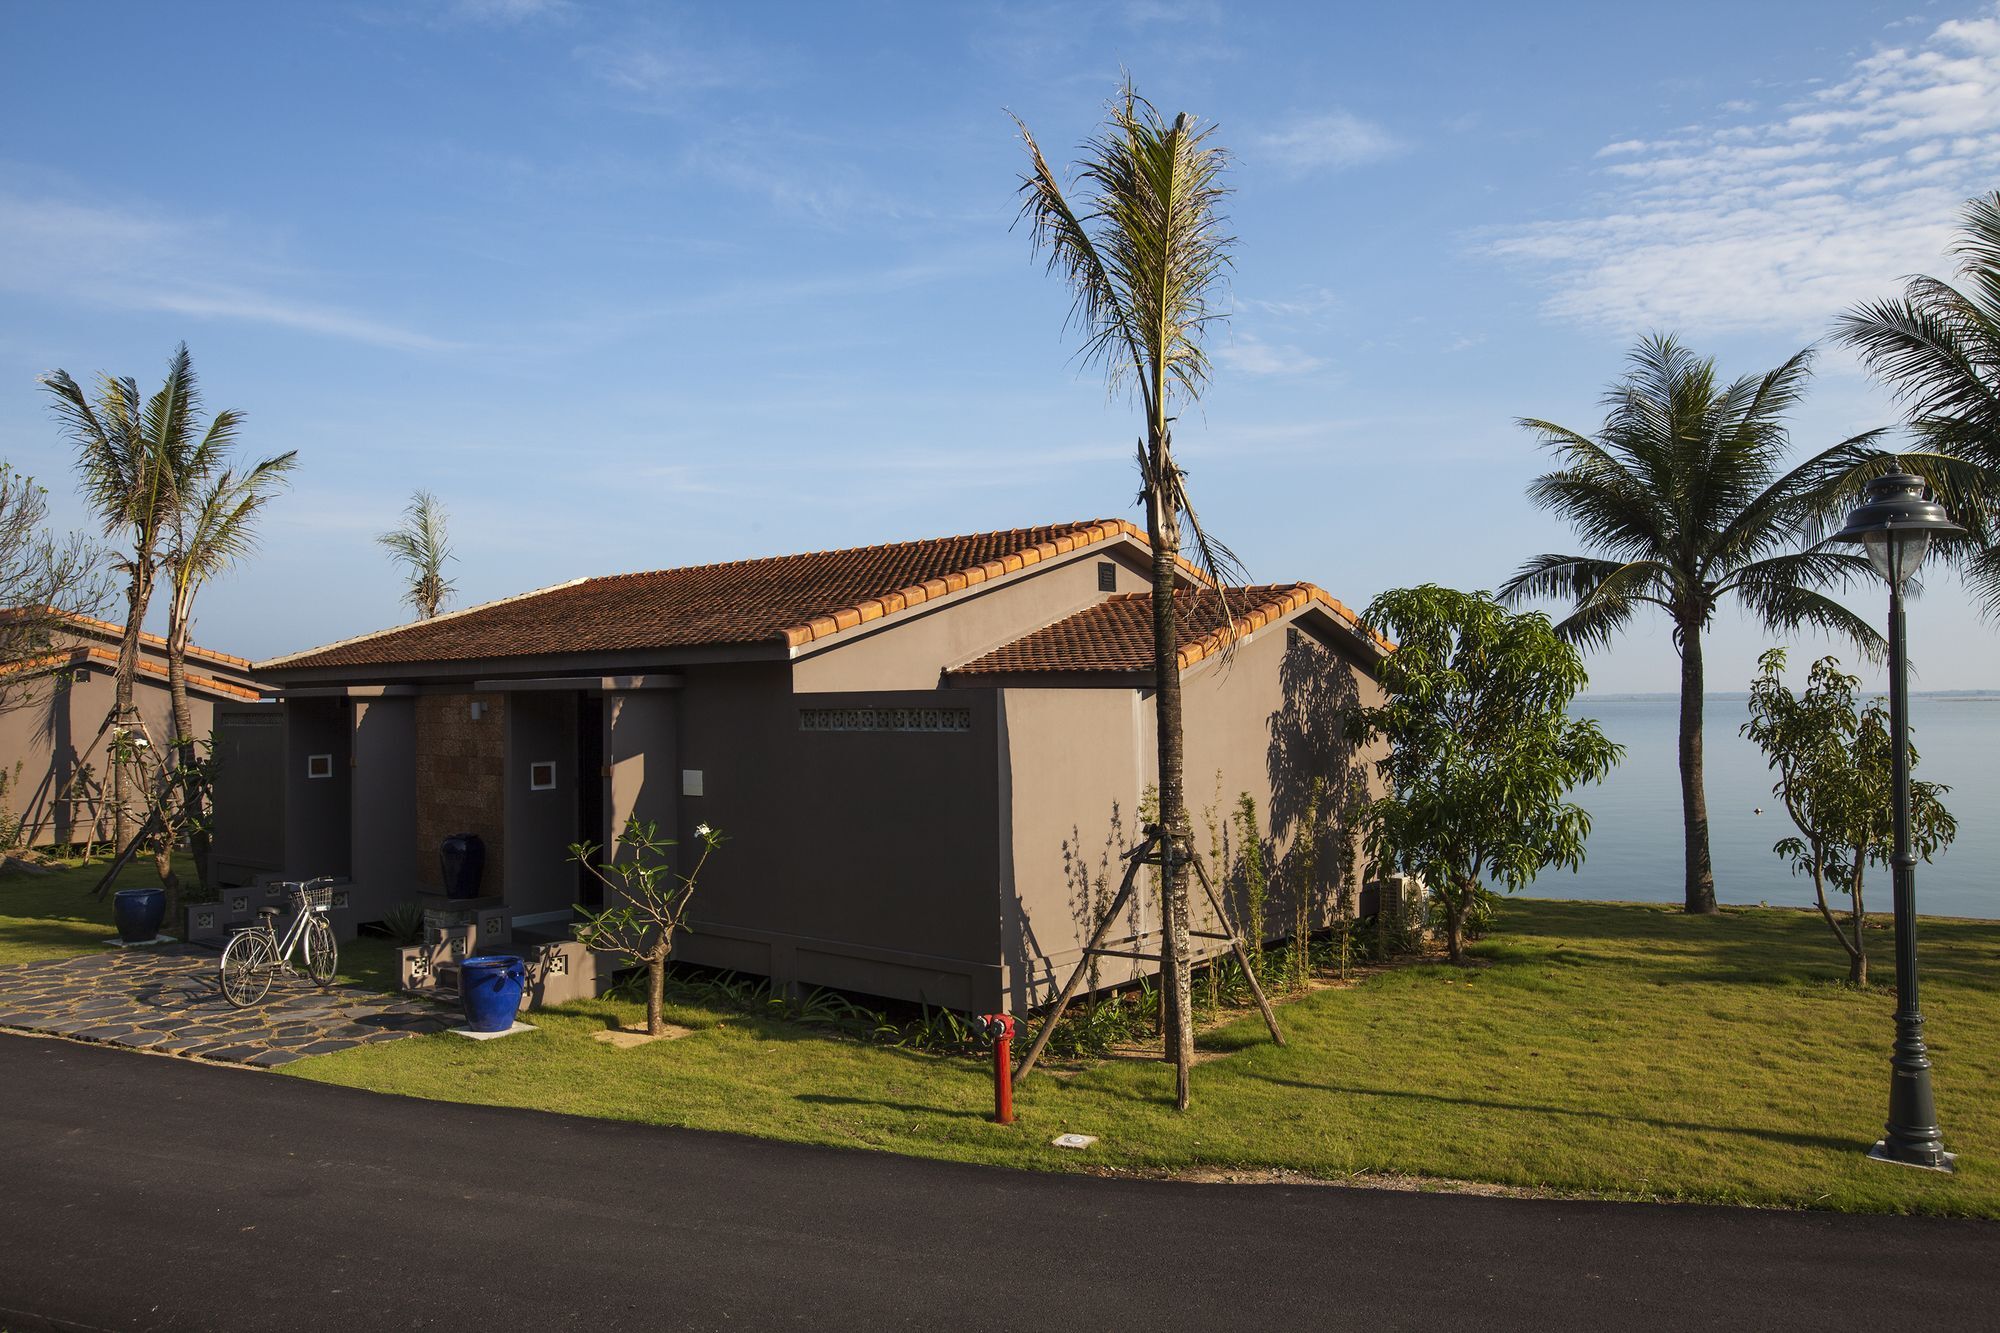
(1481, 750)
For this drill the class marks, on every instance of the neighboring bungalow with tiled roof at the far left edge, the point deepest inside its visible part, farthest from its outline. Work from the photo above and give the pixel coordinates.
(59, 712)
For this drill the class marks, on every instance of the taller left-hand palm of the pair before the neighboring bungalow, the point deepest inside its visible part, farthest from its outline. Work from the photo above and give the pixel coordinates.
(129, 459)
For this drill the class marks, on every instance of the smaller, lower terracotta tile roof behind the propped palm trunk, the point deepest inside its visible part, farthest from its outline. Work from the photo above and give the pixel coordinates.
(1117, 633)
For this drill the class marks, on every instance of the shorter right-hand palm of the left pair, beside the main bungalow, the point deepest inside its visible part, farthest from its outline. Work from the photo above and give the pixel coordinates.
(215, 525)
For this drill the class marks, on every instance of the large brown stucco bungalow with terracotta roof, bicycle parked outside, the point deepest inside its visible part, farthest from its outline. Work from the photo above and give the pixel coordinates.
(923, 756)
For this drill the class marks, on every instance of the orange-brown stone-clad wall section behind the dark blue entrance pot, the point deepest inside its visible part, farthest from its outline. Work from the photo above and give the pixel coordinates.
(461, 774)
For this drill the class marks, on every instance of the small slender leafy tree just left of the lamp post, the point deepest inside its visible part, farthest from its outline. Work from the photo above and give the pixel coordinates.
(1835, 780)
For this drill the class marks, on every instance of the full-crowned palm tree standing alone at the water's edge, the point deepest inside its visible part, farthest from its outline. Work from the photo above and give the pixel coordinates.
(1683, 505)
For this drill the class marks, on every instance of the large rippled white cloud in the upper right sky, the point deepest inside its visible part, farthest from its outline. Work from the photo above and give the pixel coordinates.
(1783, 223)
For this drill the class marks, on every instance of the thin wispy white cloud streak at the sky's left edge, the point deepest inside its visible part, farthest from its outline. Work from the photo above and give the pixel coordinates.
(127, 261)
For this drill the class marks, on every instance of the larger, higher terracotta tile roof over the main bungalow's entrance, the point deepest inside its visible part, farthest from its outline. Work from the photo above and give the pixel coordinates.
(783, 599)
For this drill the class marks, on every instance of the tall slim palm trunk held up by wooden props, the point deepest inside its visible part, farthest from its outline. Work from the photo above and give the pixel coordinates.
(1175, 964)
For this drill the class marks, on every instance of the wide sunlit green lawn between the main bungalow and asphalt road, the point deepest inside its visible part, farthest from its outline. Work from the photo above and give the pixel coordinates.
(1607, 1050)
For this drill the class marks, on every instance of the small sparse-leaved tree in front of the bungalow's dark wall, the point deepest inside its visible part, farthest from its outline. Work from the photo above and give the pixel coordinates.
(645, 908)
